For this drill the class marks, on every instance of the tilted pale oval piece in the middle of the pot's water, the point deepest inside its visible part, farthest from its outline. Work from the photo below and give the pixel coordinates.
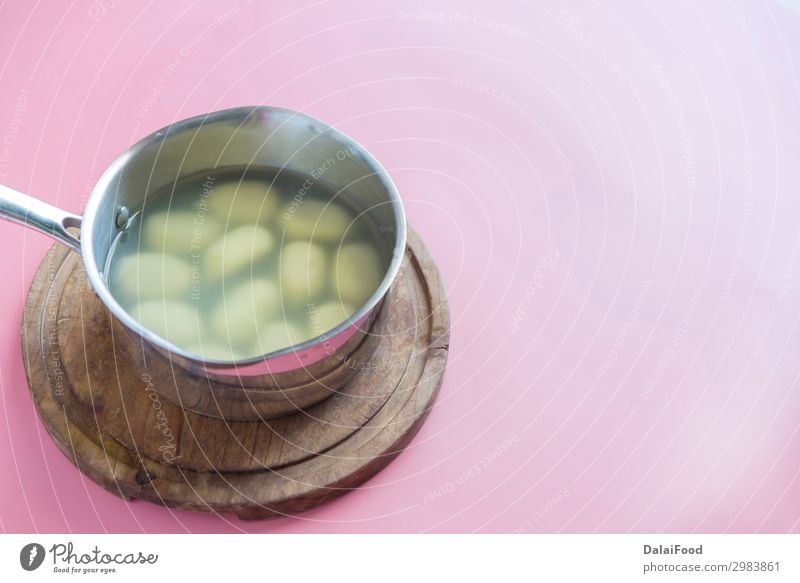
(236, 251)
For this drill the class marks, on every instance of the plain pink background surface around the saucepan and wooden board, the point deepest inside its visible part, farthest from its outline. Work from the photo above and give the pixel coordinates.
(611, 190)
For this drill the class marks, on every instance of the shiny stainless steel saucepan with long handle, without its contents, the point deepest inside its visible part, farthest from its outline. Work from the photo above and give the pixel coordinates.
(266, 137)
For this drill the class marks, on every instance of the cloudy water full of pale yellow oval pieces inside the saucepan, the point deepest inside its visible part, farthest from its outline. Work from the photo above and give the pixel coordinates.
(246, 269)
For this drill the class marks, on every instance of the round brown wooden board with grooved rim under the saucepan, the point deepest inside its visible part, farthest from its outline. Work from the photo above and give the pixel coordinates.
(98, 409)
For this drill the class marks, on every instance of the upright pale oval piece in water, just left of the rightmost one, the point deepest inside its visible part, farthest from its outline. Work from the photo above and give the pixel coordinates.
(303, 272)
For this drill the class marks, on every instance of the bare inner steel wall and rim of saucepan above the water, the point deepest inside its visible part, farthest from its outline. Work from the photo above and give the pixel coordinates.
(273, 142)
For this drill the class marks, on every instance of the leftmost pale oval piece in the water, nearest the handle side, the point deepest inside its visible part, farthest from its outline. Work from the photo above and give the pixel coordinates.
(143, 276)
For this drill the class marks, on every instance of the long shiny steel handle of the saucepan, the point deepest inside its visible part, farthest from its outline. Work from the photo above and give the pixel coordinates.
(31, 212)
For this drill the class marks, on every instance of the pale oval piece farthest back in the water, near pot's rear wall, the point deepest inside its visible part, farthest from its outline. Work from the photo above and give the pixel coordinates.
(247, 201)
